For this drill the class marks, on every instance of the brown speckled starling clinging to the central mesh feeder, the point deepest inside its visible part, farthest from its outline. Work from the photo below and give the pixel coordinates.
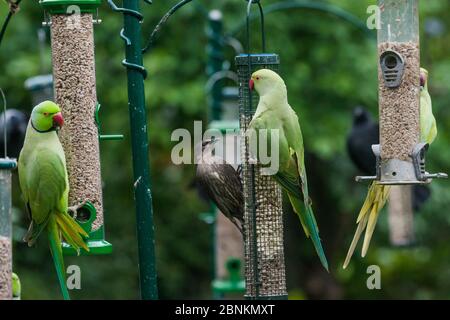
(221, 183)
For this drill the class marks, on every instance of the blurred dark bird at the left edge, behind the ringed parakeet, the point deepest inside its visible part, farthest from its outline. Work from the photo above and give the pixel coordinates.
(16, 126)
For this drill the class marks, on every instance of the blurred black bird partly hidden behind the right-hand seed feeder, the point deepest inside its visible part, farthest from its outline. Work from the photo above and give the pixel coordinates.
(364, 133)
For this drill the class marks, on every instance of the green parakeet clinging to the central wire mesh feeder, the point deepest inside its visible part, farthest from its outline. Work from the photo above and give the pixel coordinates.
(275, 113)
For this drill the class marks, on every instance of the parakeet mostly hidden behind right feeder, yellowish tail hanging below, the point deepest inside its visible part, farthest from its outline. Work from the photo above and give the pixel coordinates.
(378, 194)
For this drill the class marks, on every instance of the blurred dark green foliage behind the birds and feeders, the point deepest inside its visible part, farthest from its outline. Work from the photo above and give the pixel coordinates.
(329, 67)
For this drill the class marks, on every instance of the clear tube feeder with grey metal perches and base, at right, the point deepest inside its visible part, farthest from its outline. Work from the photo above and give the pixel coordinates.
(400, 155)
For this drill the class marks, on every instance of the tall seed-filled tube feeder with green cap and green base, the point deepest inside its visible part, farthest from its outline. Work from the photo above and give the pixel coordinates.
(72, 37)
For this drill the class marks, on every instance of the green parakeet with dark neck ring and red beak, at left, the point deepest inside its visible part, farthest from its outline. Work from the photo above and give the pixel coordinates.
(45, 187)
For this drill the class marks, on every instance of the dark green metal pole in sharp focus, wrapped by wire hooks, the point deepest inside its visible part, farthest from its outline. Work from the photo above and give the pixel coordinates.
(141, 166)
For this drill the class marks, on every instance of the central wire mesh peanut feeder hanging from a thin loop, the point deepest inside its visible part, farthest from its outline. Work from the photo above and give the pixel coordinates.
(265, 274)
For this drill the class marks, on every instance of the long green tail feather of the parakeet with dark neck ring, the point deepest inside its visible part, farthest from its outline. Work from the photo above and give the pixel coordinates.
(56, 250)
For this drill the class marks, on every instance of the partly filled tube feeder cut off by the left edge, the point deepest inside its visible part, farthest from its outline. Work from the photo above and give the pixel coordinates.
(6, 166)
